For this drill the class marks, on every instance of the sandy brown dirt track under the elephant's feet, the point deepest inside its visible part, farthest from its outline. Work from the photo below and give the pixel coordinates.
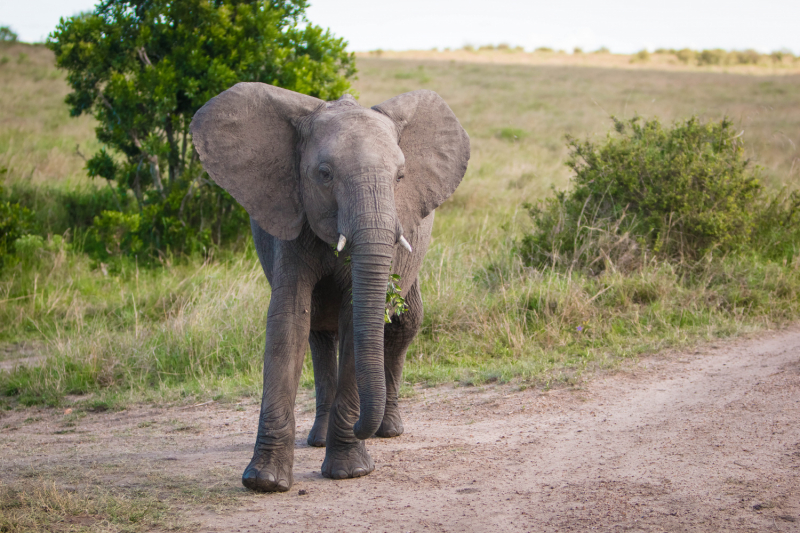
(702, 441)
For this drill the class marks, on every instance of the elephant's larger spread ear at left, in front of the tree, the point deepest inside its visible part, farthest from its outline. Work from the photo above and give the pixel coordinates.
(246, 142)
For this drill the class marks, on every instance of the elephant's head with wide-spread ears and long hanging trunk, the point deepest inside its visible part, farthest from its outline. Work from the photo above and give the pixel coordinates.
(356, 175)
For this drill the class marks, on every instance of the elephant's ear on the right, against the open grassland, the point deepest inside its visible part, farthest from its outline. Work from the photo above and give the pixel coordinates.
(436, 149)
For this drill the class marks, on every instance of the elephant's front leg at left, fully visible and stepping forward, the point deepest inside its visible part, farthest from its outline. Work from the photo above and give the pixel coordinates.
(288, 325)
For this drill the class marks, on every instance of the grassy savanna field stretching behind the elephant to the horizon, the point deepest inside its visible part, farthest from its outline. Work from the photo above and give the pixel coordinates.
(78, 330)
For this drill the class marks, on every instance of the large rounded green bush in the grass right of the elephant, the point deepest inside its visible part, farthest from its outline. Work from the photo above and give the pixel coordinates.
(676, 193)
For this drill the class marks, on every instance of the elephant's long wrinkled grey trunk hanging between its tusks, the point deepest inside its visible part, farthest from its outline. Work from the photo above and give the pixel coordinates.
(374, 234)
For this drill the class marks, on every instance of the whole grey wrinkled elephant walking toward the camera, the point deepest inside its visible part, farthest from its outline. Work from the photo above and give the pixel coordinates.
(308, 171)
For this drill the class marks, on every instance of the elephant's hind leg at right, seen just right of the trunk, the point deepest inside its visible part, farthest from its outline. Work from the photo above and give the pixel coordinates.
(396, 339)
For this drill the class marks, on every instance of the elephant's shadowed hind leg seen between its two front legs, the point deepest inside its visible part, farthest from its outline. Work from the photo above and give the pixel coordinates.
(323, 355)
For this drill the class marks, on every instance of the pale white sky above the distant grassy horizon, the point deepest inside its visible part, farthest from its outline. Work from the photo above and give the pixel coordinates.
(624, 26)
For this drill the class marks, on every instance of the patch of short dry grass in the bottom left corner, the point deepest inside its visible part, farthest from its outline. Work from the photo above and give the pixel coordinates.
(93, 496)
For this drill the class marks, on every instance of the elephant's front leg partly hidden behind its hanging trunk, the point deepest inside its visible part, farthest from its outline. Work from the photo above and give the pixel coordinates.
(346, 456)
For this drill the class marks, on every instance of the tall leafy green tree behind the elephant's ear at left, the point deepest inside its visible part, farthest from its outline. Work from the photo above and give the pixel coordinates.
(143, 67)
